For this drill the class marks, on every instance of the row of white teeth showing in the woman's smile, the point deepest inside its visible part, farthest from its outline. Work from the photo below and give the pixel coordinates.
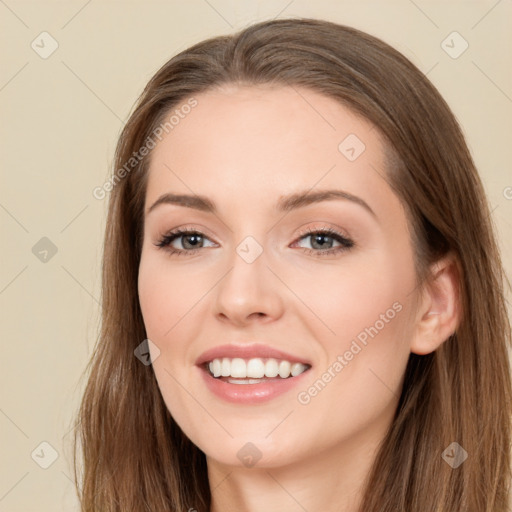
(255, 368)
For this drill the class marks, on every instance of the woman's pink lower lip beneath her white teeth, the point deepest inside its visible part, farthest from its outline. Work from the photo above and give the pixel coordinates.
(250, 393)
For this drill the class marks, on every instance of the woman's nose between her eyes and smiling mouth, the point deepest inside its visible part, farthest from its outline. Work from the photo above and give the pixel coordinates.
(249, 292)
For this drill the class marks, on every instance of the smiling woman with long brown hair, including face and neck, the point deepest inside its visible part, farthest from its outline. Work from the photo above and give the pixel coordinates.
(299, 241)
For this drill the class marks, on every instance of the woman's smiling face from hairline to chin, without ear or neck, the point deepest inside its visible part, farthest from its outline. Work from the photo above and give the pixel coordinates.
(278, 276)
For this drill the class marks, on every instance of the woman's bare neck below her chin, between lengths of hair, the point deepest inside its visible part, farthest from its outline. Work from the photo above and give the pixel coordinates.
(329, 481)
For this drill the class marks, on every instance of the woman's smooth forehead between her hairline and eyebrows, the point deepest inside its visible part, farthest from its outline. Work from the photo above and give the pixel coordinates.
(254, 143)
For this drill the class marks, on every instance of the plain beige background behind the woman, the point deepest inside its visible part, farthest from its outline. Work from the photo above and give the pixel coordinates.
(60, 120)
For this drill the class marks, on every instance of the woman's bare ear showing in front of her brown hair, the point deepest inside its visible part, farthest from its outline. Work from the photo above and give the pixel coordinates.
(438, 313)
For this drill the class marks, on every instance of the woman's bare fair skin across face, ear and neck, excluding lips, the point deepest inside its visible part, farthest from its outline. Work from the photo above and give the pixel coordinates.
(245, 148)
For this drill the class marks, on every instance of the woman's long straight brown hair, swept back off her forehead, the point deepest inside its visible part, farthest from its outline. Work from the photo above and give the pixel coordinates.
(134, 455)
